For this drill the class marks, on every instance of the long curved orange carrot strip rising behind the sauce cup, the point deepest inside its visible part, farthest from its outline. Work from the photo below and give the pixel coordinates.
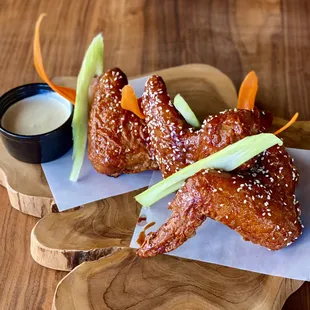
(65, 92)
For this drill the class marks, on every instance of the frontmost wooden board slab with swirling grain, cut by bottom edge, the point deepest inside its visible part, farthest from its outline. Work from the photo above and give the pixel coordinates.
(125, 281)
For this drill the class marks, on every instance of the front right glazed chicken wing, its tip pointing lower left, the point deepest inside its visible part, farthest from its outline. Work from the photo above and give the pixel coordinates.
(259, 204)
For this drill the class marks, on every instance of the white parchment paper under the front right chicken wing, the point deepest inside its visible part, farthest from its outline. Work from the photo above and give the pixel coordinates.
(216, 243)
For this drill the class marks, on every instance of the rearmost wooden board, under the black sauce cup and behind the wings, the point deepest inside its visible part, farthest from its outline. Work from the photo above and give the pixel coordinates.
(26, 184)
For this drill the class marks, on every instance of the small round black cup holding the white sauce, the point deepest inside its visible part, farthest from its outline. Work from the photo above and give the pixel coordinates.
(40, 148)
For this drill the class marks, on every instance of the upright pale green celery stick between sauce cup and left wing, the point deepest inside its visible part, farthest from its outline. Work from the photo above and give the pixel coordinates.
(92, 65)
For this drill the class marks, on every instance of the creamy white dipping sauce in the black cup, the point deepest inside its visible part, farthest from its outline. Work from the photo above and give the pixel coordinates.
(37, 114)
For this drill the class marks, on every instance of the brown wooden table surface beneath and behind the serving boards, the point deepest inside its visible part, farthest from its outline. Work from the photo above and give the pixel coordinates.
(272, 37)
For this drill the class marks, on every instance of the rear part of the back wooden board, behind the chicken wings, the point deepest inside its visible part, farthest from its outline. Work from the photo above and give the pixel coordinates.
(207, 87)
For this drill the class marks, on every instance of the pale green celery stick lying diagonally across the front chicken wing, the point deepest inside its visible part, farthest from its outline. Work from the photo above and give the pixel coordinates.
(228, 159)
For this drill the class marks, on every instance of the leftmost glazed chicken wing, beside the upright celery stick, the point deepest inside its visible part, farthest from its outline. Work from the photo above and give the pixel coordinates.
(117, 139)
